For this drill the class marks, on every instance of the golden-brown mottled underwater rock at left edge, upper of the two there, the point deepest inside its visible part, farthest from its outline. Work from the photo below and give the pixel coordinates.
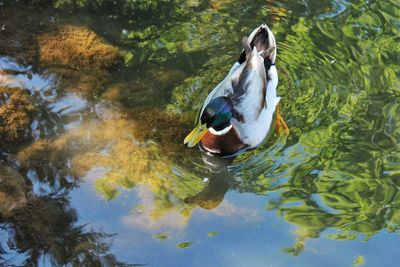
(16, 112)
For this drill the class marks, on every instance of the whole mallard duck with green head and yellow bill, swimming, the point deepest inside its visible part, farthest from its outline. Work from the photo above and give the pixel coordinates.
(238, 113)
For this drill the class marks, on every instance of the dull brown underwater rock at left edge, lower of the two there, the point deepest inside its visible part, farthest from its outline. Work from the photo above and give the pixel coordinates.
(12, 190)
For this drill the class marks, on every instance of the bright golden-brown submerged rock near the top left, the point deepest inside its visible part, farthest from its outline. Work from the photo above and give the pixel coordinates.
(77, 47)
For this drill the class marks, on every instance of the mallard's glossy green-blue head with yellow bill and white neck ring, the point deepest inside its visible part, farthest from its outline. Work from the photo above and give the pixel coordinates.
(216, 117)
